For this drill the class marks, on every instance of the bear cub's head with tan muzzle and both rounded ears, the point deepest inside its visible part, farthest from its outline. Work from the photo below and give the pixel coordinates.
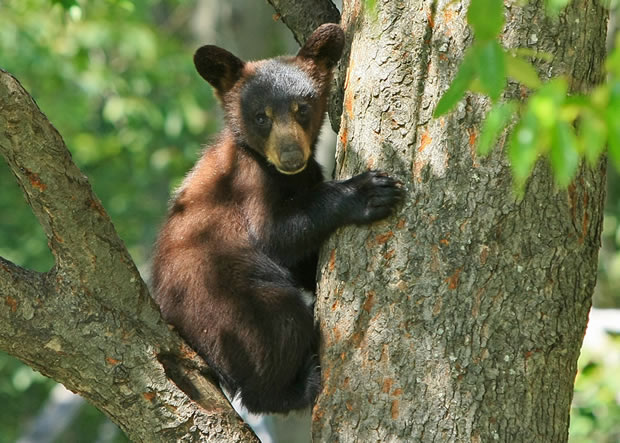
(276, 106)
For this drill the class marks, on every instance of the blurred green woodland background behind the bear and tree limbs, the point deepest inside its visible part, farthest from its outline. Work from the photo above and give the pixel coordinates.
(116, 79)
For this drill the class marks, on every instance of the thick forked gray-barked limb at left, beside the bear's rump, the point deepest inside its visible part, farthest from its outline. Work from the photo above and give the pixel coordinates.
(89, 322)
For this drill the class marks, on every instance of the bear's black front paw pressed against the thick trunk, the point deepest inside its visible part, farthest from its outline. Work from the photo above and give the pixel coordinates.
(376, 195)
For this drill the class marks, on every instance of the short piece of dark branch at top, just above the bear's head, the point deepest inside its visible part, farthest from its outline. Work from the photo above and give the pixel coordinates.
(303, 17)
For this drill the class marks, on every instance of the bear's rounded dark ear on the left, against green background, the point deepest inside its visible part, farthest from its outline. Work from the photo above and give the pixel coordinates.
(218, 66)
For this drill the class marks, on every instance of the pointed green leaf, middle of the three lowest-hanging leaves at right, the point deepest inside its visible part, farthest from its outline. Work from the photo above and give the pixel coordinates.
(563, 155)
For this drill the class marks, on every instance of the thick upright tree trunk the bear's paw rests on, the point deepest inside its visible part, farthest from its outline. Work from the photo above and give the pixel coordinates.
(461, 317)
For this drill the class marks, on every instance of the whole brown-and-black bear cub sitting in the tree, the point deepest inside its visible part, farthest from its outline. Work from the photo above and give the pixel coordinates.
(237, 255)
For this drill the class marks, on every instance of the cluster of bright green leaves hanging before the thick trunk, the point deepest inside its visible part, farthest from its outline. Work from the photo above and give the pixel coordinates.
(551, 122)
